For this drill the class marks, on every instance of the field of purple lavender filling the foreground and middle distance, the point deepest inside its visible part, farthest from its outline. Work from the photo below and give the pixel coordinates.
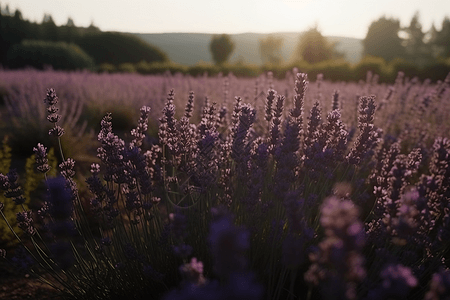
(180, 187)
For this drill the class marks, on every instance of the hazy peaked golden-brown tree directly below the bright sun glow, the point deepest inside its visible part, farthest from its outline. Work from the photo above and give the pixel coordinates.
(313, 47)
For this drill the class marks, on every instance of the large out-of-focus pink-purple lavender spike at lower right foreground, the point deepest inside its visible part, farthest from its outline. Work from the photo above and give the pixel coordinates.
(338, 265)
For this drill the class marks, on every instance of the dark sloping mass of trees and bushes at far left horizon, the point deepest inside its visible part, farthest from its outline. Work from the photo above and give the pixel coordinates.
(24, 43)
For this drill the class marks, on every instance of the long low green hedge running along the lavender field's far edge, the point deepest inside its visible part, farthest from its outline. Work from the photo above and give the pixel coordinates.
(334, 70)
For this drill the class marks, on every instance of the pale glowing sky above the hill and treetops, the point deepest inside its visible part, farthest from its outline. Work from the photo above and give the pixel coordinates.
(348, 18)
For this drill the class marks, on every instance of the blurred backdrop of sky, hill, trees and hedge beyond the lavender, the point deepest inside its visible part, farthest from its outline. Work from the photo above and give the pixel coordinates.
(245, 37)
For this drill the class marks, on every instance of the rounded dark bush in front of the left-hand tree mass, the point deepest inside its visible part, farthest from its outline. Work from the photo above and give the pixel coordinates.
(42, 54)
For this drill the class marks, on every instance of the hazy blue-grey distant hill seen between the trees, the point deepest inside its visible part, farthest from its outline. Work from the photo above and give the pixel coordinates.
(192, 48)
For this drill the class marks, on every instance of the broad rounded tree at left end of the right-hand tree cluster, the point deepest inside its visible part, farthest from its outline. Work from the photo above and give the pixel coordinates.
(382, 39)
